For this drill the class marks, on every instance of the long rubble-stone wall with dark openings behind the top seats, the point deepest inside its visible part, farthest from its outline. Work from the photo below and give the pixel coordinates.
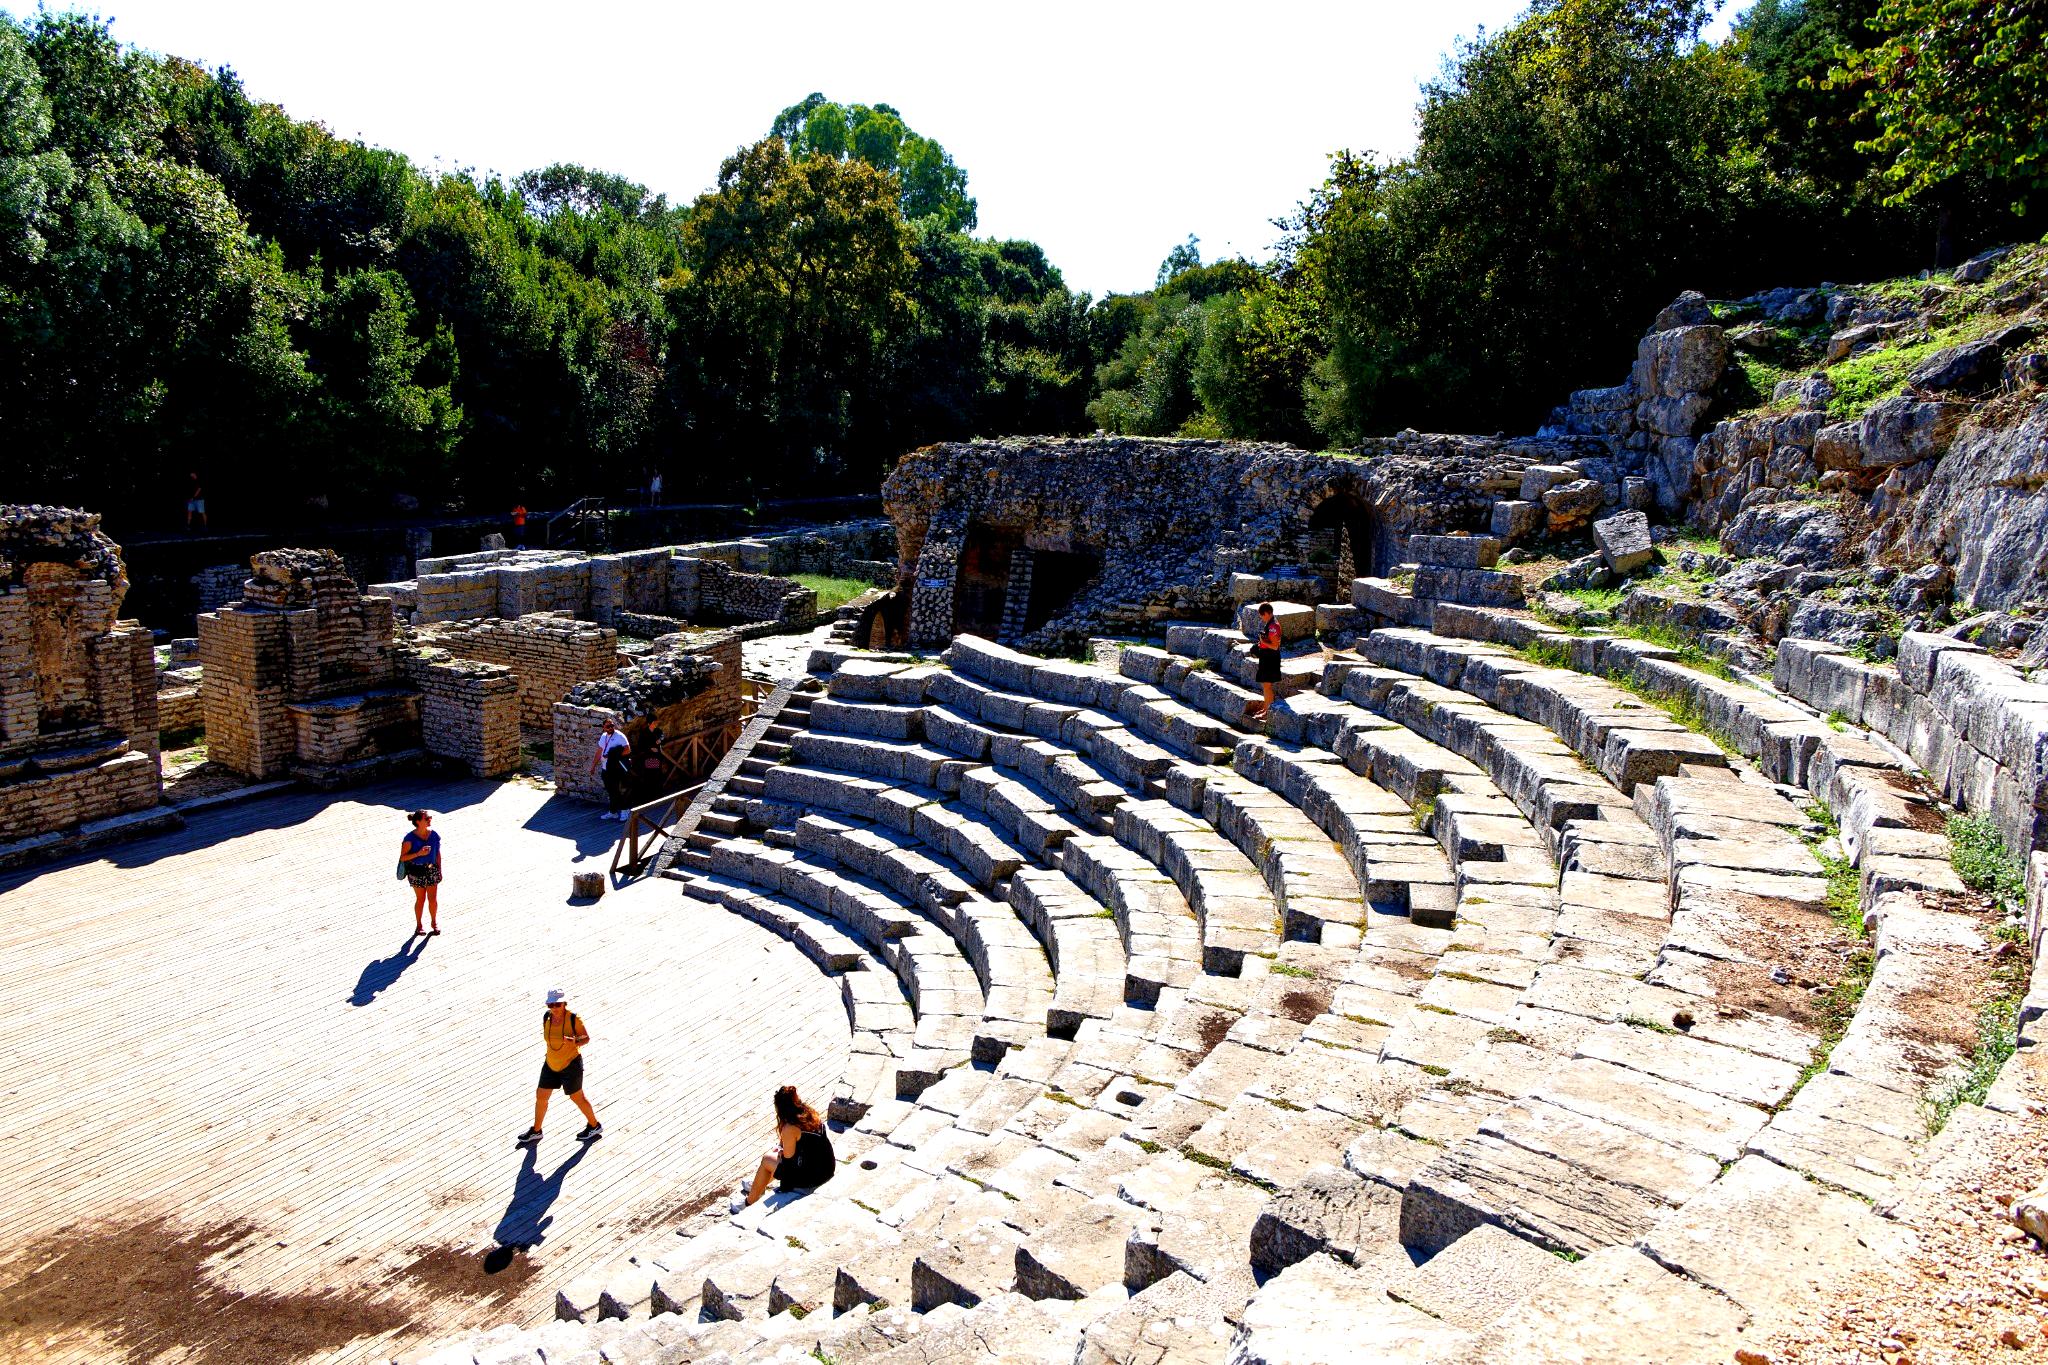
(1175, 521)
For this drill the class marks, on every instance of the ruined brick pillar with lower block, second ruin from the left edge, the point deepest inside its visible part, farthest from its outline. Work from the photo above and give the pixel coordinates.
(304, 678)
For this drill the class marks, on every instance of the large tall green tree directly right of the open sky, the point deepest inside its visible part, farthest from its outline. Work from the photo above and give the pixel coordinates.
(1572, 173)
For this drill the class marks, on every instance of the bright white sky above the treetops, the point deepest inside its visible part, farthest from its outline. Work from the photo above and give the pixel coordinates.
(1105, 132)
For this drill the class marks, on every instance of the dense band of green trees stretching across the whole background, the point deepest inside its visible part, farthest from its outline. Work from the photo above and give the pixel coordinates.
(198, 283)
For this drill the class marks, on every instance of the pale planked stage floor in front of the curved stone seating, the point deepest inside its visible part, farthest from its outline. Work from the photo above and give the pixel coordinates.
(249, 1120)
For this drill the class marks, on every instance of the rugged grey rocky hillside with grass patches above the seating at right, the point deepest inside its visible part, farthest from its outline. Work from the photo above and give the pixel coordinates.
(1850, 461)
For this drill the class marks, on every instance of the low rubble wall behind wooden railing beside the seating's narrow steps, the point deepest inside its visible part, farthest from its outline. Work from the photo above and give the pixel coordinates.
(685, 691)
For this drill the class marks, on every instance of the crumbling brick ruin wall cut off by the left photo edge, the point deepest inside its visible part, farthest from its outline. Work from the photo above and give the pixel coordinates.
(79, 728)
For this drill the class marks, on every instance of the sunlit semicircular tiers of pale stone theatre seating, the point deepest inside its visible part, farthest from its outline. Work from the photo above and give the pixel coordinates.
(1453, 1014)
